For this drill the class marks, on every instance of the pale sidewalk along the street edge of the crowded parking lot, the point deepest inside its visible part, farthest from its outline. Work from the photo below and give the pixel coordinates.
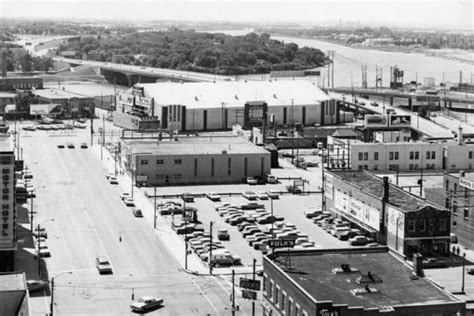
(173, 241)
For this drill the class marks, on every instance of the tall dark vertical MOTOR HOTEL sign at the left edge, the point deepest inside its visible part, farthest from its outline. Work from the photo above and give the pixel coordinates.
(7, 165)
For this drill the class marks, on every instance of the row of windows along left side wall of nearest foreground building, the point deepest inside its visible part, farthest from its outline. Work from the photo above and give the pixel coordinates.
(282, 301)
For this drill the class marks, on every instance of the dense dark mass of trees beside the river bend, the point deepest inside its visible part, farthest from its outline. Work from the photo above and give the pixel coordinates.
(203, 52)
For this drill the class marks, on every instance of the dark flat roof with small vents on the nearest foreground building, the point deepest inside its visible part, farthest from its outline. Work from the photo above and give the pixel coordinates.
(313, 271)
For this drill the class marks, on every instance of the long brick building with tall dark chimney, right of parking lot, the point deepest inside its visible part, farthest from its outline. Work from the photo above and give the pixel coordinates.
(404, 222)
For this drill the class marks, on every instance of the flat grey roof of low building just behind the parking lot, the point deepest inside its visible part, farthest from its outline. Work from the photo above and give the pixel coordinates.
(195, 146)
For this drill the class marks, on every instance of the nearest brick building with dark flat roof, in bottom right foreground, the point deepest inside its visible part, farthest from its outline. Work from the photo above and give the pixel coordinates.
(356, 282)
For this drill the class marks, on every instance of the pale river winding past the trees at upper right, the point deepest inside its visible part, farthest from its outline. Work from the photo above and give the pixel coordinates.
(348, 62)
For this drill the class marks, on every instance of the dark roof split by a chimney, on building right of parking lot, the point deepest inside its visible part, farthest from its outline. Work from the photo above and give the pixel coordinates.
(373, 185)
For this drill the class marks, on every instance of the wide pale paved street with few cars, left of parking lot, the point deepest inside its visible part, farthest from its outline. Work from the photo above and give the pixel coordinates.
(89, 219)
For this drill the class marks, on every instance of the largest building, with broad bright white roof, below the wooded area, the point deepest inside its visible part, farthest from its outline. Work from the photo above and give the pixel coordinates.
(220, 105)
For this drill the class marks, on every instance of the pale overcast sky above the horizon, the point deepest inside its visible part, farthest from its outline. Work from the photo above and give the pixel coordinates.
(418, 13)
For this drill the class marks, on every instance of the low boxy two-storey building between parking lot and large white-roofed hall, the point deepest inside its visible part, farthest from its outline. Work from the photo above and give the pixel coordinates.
(193, 160)
